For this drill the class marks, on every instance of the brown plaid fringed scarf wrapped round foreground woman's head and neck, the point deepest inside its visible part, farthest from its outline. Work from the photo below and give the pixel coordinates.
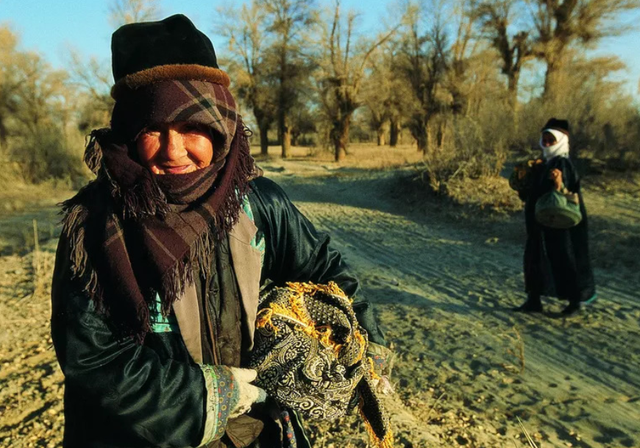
(134, 235)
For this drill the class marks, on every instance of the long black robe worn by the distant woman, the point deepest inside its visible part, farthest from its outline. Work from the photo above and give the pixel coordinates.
(556, 261)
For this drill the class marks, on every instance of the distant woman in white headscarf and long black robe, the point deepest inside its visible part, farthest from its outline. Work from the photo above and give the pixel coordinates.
(556, 261)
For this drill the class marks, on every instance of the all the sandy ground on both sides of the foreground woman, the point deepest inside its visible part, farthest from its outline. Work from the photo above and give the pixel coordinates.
(468, 369)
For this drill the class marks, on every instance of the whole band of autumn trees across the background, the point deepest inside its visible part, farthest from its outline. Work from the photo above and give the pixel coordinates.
(466, 81)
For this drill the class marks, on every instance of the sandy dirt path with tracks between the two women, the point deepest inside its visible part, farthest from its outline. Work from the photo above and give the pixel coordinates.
(444, 291)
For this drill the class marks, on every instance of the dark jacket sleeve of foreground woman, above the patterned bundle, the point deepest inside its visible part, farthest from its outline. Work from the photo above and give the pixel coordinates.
(297, 252)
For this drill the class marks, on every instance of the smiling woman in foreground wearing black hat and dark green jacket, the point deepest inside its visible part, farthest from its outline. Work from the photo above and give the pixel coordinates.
(162, 258)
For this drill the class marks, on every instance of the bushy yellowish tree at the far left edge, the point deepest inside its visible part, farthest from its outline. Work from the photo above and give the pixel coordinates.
(37, 108)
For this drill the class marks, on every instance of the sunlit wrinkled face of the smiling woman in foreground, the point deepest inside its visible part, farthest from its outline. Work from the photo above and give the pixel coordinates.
(175, 148)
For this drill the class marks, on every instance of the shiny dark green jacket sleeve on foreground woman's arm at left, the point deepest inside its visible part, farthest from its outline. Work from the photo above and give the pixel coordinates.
(118, 391)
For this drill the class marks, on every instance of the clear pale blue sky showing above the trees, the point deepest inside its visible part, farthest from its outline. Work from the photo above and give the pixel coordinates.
(50, 26)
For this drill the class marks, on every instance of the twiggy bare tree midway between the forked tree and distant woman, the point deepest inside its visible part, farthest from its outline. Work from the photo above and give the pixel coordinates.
(436, 55)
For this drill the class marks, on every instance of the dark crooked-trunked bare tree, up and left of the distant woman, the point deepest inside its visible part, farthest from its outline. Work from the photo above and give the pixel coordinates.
(514, 48)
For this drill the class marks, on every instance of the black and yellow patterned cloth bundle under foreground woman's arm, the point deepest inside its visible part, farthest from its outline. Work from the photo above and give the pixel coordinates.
(310, 354)
